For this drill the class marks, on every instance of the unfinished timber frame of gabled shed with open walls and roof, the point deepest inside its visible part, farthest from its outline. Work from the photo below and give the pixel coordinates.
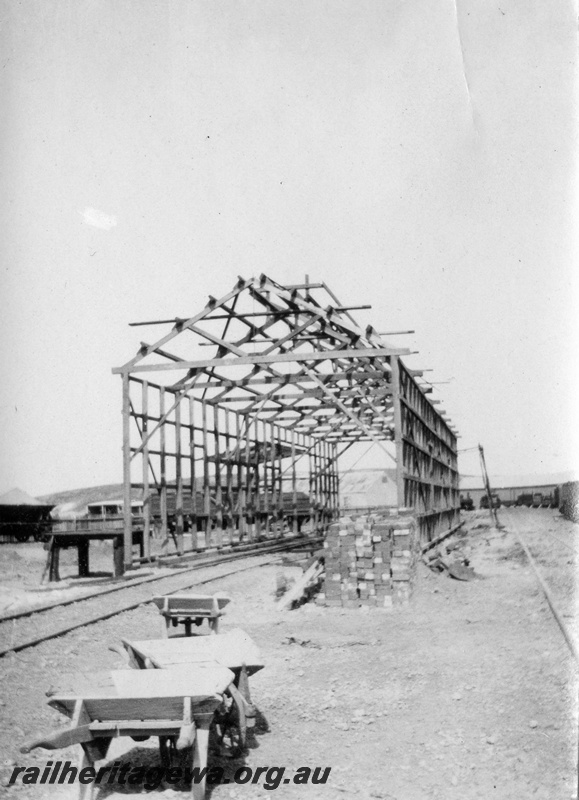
(213, 443)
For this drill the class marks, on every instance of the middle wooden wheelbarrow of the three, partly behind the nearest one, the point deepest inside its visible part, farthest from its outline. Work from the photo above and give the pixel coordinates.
(234, 650)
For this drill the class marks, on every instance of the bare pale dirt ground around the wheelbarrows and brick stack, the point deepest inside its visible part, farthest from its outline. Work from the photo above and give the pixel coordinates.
(469, 692)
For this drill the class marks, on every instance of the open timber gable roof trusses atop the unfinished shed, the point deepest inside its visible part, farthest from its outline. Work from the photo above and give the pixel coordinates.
(289, 354)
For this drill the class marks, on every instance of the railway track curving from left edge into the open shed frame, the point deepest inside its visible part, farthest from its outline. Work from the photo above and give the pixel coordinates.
(30, 628)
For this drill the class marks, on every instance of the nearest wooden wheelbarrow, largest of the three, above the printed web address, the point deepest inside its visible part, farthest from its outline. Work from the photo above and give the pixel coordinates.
(176, 705)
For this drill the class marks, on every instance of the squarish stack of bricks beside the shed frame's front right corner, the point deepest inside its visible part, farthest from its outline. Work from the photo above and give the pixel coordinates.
(370, 561)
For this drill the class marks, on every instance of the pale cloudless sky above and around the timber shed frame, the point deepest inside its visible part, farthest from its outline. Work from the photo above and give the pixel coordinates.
(418, 155)
